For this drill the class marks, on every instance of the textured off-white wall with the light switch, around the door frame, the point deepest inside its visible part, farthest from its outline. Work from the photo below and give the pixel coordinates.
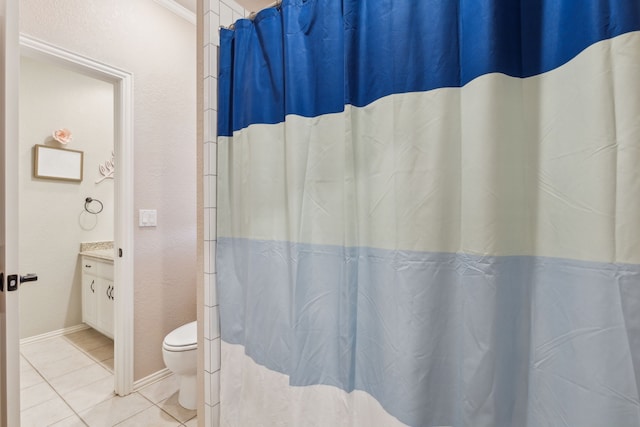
(159, 48)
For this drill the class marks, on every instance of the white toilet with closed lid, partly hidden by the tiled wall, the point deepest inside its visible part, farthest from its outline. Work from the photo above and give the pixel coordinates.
(179, 352)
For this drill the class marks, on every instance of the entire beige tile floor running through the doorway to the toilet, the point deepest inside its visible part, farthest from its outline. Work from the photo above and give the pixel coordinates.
(67, 381)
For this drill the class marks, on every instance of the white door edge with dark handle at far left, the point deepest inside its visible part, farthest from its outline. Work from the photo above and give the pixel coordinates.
(9, 334)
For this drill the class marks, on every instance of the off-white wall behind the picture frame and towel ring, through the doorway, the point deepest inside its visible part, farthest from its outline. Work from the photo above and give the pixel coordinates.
(52, 217)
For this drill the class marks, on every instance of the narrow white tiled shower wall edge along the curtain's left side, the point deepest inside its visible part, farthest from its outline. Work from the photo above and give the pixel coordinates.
(216, 13)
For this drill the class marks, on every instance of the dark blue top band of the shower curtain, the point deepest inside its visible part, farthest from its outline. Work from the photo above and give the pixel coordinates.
(335, 53)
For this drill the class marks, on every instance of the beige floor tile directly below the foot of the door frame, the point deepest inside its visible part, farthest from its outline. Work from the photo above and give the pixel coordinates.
(115, 410)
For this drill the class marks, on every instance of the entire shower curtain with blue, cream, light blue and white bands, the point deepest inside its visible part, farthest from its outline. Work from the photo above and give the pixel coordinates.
(429, 214)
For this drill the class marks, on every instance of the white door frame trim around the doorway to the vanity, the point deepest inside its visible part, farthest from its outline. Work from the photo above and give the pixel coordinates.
(123, 194)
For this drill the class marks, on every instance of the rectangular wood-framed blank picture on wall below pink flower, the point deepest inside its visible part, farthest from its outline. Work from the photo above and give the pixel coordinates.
(57, 163)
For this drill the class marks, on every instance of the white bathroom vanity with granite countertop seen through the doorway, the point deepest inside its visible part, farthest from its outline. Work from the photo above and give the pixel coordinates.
(98, 289)
